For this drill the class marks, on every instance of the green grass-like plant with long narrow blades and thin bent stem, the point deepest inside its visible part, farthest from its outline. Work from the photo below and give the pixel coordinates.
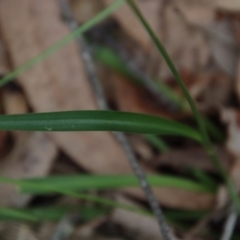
(106, 121)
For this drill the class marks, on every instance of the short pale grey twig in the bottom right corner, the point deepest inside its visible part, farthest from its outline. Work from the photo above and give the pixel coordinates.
(230, 224)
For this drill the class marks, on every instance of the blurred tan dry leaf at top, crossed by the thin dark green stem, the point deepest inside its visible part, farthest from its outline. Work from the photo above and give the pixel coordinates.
(187, 47)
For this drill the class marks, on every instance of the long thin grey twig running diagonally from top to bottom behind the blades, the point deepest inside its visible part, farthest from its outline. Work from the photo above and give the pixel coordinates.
(92, 74)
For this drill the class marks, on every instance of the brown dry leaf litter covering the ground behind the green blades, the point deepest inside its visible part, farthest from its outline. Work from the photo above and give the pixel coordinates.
(202, 39)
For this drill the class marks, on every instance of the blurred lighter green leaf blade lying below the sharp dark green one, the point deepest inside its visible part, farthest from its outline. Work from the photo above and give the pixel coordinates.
(103, 182)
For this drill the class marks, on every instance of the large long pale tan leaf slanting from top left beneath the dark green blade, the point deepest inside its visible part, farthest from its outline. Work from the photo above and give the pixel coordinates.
(59, 83)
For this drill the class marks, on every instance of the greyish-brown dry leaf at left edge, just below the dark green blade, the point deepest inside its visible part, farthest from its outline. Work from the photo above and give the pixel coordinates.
(32, 156)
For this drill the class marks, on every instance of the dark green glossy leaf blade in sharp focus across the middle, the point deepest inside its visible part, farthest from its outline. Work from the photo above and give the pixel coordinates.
(96, 121)
